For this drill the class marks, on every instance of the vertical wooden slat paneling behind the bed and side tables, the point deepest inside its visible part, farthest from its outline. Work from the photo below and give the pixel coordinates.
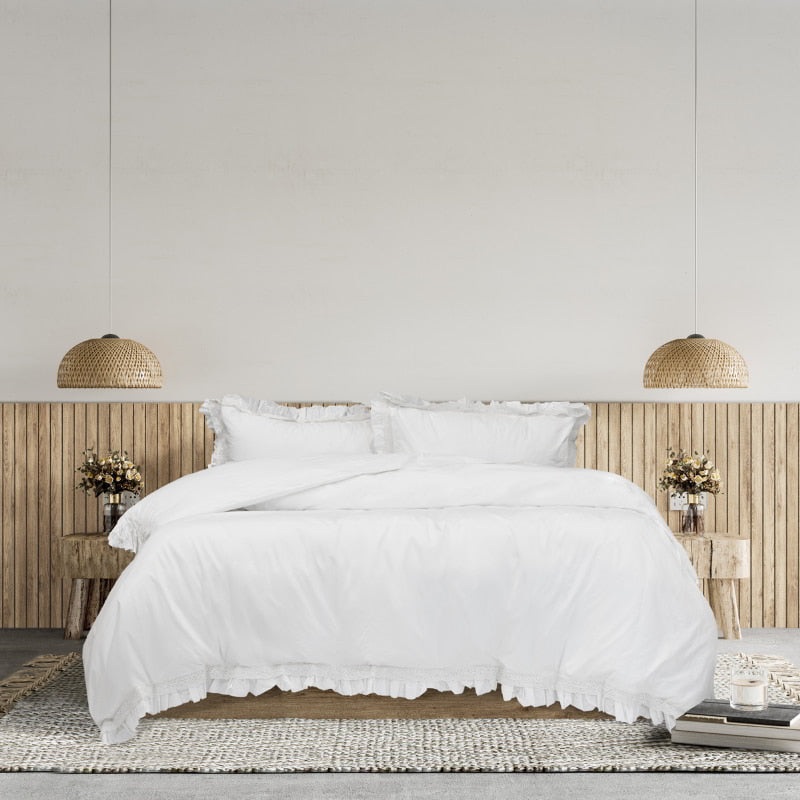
(754, 444)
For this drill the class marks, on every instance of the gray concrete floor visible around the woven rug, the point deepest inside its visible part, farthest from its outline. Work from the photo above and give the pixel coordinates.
(18, 646)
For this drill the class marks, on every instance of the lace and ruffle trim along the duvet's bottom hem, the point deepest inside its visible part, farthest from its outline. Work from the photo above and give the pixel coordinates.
(387, 682)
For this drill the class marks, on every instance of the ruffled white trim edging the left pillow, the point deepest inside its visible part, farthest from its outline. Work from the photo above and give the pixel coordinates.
(212, 409)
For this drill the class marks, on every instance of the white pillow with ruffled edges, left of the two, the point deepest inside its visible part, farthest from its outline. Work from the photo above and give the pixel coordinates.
(247, 429)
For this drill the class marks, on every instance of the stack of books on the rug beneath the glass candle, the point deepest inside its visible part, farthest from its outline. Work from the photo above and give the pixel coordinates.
(715, 724)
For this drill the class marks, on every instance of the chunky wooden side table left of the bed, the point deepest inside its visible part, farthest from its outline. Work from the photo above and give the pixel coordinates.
(93, 565)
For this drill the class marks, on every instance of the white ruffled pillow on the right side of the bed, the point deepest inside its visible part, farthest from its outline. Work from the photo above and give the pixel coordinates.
(506, 433)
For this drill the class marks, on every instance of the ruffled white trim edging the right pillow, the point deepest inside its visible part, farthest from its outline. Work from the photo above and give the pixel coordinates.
(385, 401)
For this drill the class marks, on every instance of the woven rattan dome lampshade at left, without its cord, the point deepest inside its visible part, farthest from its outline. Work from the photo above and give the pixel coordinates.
(110, 363)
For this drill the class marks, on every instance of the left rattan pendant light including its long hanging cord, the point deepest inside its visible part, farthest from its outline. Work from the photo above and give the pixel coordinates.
(110, 362)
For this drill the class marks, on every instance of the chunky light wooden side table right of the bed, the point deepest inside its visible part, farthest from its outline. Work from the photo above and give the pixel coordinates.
(720, 559)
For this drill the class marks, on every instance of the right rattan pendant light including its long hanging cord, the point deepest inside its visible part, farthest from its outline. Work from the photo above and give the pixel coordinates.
(696, 362)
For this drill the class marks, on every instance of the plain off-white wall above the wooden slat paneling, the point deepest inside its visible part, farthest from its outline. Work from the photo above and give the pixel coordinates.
(315, 199)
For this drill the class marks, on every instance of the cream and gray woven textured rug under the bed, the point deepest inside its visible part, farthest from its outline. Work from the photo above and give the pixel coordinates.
(46, 727)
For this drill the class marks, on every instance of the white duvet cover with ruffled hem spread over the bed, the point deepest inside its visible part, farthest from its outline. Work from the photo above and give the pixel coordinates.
(392, 575)
